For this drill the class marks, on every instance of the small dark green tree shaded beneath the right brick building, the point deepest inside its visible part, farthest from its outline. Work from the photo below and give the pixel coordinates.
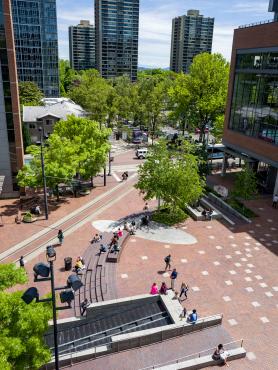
(246, 184)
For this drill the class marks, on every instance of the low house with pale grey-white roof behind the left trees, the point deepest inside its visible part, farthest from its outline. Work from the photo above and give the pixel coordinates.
(45, 116)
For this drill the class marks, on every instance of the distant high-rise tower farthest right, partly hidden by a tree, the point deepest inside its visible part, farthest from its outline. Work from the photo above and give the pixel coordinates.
(191, 35)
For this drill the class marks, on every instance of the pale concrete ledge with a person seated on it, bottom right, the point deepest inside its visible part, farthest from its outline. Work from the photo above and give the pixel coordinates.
(204, 361)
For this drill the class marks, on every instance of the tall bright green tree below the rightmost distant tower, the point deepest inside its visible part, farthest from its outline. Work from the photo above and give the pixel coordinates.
(208, 86)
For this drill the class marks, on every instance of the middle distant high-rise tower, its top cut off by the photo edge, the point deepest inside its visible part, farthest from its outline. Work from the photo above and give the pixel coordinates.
(117, 25)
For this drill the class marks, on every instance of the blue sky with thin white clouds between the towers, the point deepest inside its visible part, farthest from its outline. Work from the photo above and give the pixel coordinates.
(156, 23)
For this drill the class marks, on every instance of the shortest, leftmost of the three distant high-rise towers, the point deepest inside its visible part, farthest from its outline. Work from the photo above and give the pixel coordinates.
(82, 46)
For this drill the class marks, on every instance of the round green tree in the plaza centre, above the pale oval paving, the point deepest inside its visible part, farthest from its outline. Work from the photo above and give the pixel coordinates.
(171, 176)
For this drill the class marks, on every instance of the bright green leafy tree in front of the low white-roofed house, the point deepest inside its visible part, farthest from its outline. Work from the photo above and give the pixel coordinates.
(76, 145)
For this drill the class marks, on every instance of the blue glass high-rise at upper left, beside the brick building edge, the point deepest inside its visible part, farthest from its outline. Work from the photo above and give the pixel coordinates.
(36, 43)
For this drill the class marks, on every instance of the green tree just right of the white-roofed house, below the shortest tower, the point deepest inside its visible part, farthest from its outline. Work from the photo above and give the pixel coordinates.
(93, 93)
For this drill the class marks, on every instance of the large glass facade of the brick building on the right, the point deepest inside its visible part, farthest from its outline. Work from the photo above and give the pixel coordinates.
(254, 110)
